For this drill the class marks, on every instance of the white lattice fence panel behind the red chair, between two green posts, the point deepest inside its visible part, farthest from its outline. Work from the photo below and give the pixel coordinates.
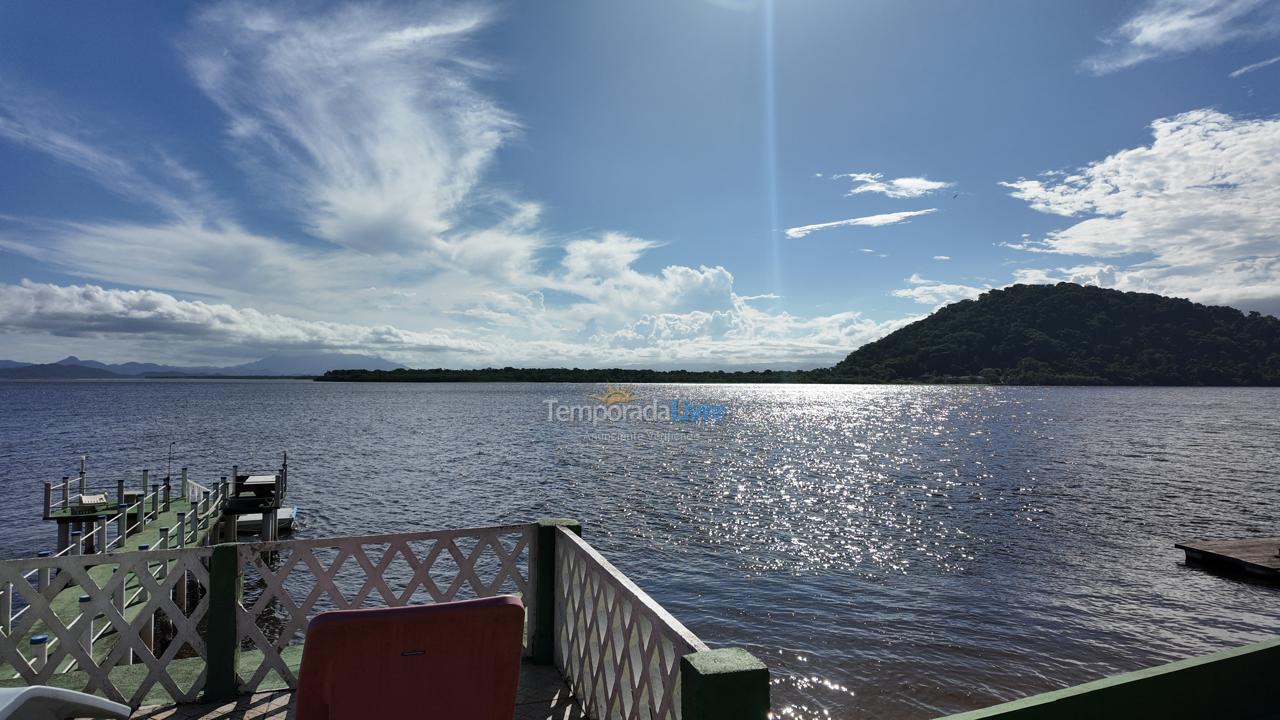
(290, 582)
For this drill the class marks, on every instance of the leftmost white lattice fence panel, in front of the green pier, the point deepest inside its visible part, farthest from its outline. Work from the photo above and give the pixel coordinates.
(100, 614)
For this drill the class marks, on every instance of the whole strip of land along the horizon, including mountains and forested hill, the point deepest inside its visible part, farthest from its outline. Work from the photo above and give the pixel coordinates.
(1023, 335)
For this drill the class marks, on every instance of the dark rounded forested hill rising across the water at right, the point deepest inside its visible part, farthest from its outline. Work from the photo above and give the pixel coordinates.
(1075, 335)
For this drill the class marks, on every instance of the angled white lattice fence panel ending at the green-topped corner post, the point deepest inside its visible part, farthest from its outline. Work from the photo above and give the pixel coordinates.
(619, 650)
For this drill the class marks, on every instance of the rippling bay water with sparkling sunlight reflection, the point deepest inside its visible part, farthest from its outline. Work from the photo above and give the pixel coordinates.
(889, 552)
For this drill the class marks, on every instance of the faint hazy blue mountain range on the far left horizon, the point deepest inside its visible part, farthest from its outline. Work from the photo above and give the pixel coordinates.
(275, 366)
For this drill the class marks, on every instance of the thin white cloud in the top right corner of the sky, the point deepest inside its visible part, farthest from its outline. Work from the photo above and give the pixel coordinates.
(1174, 28)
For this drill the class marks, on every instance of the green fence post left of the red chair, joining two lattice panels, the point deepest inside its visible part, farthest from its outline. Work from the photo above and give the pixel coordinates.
(223, 642)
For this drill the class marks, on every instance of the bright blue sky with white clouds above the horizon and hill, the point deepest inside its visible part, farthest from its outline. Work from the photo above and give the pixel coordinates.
(674, 184)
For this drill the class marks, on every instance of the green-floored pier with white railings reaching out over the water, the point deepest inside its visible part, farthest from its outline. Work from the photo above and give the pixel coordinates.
(100, 522)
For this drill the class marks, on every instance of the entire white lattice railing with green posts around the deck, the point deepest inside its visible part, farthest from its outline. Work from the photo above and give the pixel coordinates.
(217, 622)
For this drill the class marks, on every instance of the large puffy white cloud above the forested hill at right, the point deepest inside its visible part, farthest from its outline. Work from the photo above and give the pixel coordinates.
(1196, 213)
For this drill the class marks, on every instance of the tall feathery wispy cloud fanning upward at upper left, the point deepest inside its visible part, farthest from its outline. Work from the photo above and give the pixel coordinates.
(365, 120)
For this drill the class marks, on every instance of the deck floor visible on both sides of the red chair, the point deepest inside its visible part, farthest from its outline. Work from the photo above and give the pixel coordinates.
(542, 696)
